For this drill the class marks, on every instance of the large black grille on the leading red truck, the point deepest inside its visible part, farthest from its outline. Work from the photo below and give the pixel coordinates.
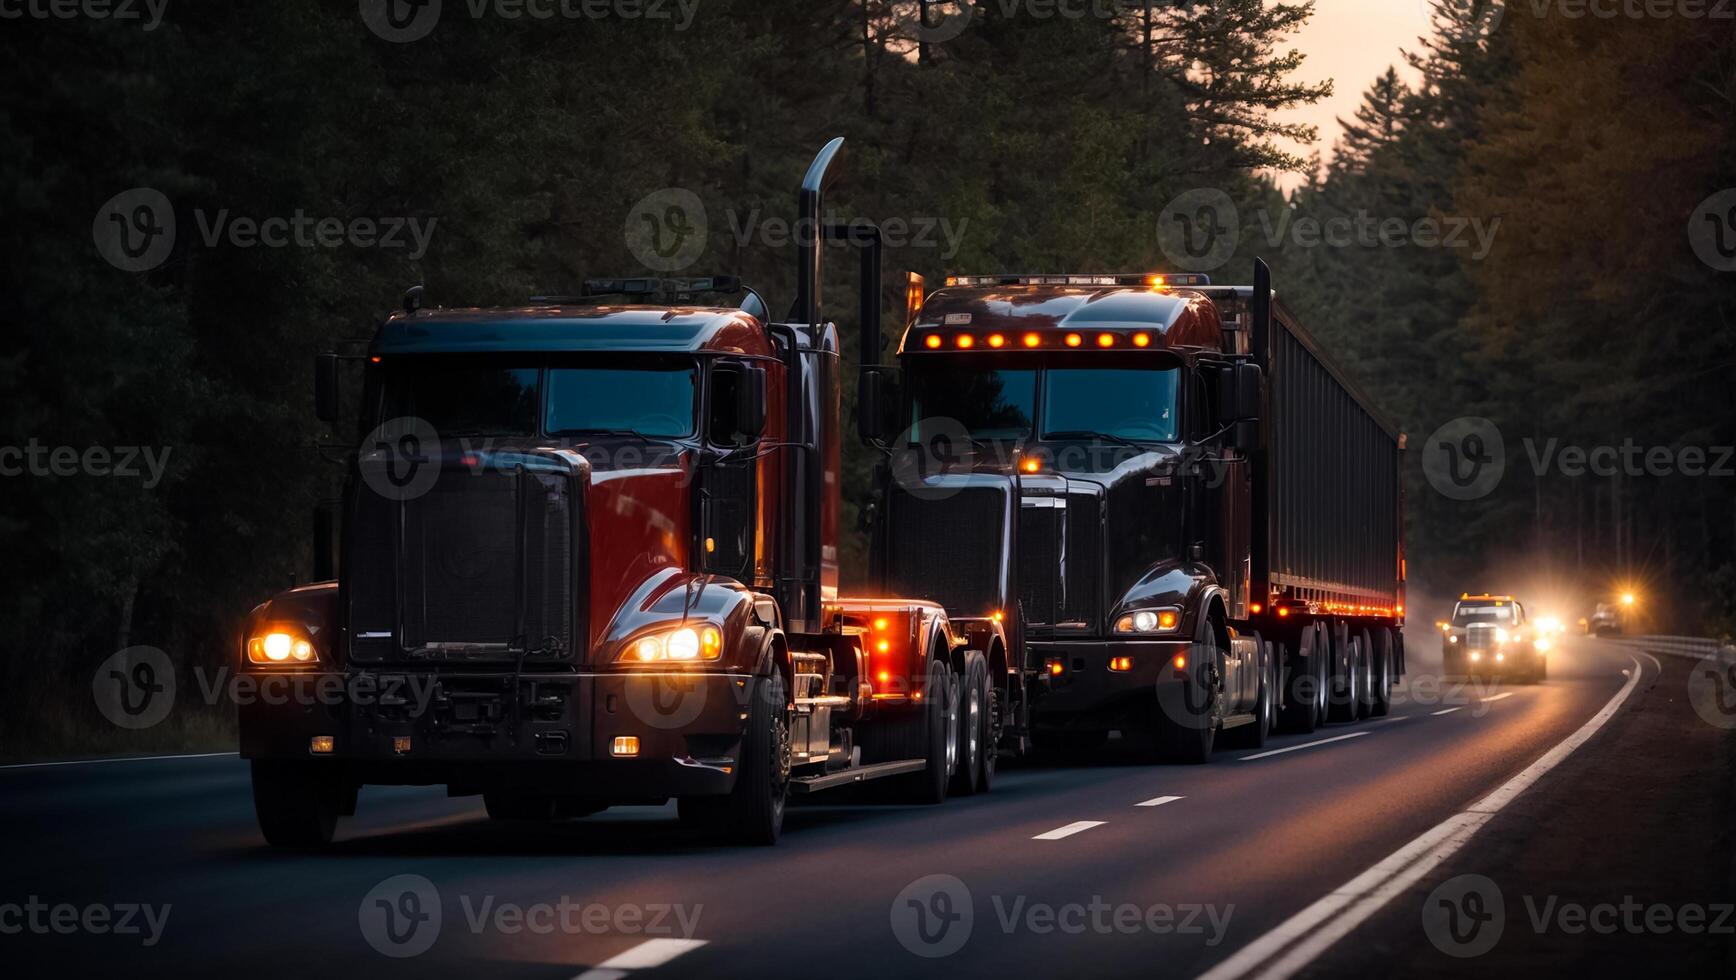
(482, 568)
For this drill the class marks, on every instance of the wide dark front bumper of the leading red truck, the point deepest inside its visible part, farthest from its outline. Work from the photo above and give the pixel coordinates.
(610, 738)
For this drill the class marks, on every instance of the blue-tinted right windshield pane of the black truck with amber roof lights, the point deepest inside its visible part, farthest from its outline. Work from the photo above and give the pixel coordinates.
(1136, 403)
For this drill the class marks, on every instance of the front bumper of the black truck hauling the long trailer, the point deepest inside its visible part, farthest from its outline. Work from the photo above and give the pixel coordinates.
(1088, 686)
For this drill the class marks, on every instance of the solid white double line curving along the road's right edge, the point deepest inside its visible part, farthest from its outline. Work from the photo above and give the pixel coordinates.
(1329, 920)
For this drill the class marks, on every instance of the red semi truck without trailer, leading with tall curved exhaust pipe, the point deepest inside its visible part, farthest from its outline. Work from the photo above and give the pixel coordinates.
(591, 558)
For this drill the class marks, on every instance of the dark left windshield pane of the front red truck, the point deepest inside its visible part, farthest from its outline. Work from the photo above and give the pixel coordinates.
(461, 398)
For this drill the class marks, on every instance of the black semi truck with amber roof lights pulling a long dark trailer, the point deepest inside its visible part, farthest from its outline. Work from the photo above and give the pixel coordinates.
(1188, 519)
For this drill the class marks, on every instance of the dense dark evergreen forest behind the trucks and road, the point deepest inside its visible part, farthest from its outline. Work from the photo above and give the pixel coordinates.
(1022, 141)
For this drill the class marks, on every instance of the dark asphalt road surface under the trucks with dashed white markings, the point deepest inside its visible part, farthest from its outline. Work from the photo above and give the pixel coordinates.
(1136, 889)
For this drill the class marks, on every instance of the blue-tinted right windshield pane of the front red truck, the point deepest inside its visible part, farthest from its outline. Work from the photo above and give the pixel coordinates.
(645, 402)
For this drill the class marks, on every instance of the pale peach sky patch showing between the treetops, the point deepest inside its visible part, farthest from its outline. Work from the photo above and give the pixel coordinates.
(1353, 42)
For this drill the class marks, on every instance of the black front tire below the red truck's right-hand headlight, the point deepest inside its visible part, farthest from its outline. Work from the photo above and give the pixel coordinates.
(753, 813)
